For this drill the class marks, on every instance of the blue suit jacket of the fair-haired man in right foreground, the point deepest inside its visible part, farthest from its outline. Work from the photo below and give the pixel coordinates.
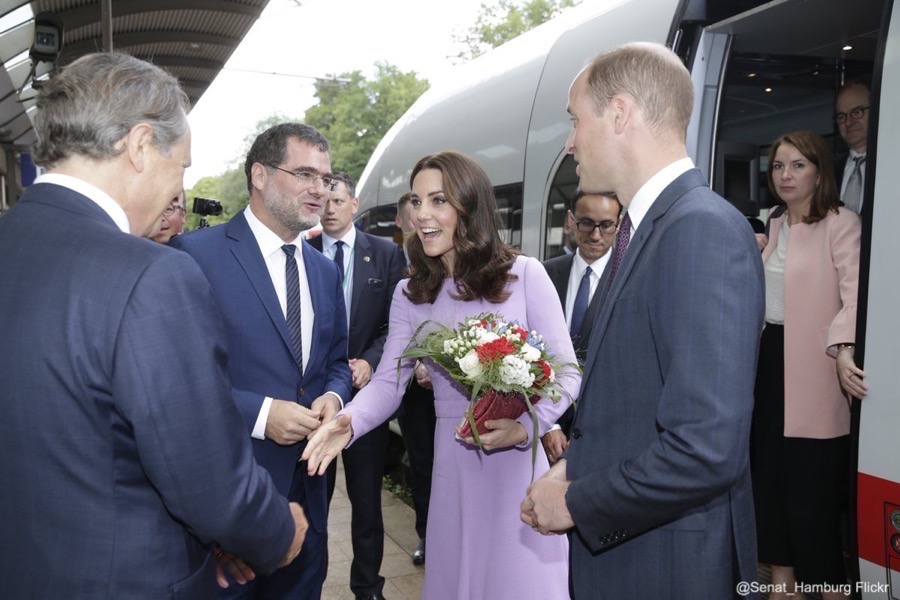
(659, 456)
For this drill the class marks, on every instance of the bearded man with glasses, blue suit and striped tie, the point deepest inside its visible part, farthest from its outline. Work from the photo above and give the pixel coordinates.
(286, 328)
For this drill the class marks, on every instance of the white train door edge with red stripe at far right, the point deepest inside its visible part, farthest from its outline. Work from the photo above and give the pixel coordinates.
(878, 337)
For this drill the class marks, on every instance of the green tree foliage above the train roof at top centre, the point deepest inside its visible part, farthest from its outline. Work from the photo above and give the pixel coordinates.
(498, 23)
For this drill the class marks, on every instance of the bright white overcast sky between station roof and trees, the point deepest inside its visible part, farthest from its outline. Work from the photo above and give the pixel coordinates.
(316, 38)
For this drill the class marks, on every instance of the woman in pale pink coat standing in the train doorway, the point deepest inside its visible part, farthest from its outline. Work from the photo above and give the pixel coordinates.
(801, 422)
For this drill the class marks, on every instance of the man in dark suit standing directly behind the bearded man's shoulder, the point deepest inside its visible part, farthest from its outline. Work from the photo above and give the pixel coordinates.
(371, 267)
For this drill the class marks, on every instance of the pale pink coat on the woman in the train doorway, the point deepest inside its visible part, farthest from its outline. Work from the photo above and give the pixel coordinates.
(820, 295)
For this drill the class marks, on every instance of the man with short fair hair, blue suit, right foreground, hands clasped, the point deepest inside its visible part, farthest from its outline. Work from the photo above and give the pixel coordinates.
(656, 480)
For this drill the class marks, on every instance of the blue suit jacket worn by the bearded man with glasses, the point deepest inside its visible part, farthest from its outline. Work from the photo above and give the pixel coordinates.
(261, 360)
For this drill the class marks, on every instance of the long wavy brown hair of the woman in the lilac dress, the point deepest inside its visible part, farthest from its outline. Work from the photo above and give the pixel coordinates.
(483, 260)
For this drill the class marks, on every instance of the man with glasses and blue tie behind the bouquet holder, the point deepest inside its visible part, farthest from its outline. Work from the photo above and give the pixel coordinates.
(592, 219)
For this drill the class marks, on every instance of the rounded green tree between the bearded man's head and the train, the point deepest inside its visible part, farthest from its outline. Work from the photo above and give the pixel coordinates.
(355, 113)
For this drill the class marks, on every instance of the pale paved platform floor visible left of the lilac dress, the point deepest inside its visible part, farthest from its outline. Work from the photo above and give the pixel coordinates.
(403, 579)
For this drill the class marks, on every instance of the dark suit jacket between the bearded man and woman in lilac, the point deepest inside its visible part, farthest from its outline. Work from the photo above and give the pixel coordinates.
(377, 268)
